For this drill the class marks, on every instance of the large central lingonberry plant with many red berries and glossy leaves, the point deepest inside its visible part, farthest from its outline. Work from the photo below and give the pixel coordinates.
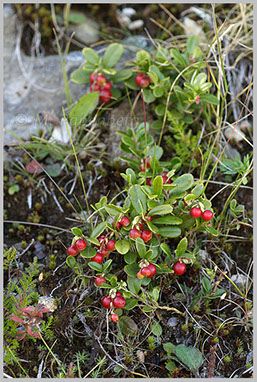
(143, 231)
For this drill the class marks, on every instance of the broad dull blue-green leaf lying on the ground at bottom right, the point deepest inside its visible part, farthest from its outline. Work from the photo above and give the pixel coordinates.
(189, 356)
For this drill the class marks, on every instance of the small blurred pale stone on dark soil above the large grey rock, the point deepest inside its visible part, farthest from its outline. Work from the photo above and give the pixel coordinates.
(87, 33)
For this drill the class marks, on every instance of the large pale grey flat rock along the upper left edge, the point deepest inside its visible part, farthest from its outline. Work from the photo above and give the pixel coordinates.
(32, 85)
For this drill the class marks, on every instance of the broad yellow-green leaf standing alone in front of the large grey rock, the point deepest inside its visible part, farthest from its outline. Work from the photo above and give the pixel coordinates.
(85, 106)
